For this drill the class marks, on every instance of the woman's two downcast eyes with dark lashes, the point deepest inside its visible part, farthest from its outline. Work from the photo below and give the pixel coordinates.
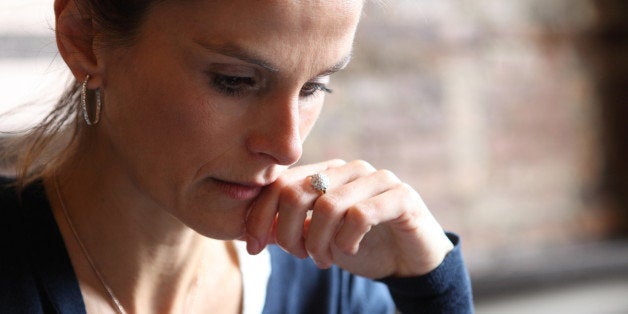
(236, 86)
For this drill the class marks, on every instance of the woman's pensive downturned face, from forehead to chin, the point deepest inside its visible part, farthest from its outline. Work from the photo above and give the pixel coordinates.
(214, 99)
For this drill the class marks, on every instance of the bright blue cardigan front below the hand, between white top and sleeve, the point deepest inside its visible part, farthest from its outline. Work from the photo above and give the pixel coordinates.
(298, 286)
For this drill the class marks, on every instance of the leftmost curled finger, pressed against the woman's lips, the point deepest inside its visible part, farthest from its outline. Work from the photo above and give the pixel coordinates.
(261, 216)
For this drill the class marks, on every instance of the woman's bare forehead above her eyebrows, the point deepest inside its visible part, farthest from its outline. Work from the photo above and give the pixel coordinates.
(272, 26)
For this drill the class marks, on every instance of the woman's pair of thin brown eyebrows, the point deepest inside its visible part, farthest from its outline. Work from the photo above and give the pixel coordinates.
(248, 56)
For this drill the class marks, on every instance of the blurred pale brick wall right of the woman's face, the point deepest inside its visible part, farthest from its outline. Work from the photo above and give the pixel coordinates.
(486, 108)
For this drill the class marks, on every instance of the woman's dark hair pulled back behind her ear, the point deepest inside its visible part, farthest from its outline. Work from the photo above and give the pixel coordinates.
(38, 151)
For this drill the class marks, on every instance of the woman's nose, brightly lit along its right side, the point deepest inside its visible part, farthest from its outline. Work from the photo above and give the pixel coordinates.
(275, 132)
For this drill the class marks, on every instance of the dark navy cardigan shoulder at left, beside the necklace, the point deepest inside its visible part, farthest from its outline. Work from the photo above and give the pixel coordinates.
(36, 274)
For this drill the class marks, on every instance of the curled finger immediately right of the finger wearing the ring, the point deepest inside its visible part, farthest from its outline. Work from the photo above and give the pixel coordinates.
(329, 211)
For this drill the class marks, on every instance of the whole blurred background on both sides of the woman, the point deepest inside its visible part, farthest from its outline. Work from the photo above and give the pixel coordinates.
(509, 117)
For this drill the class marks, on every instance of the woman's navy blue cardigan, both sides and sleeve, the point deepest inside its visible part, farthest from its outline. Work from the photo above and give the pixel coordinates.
(36, 274)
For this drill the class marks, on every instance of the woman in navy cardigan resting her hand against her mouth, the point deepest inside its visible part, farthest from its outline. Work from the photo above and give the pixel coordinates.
(182, 133)
